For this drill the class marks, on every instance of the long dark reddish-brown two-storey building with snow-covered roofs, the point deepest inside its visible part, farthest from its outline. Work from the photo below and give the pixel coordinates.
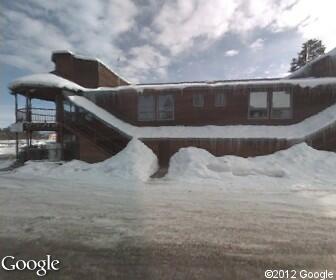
(97, 111)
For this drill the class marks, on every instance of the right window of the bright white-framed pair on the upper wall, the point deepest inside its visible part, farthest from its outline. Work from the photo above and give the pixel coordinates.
(281, 105)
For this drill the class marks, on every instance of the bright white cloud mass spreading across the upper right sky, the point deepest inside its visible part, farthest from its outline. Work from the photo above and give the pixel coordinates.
(185, 24)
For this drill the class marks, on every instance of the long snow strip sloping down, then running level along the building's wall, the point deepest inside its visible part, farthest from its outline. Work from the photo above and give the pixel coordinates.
(297, 131)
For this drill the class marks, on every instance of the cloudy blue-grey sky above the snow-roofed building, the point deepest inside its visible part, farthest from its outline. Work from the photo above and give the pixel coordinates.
(160, 40)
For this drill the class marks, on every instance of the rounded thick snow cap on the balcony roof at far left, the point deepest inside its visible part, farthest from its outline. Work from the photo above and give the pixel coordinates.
(45, 80)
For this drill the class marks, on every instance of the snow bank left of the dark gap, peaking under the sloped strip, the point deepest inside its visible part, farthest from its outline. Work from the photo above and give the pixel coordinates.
(135, 162)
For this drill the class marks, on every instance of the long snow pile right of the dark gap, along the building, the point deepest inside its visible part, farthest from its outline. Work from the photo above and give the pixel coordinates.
(300, 164)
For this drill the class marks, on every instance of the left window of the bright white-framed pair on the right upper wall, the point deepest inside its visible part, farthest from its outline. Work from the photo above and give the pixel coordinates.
(258, 105)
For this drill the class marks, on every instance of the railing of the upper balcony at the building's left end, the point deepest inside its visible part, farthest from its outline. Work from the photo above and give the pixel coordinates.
(36, 115)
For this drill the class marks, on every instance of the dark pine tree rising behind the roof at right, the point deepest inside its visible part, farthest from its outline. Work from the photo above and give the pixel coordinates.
(311, 49)
